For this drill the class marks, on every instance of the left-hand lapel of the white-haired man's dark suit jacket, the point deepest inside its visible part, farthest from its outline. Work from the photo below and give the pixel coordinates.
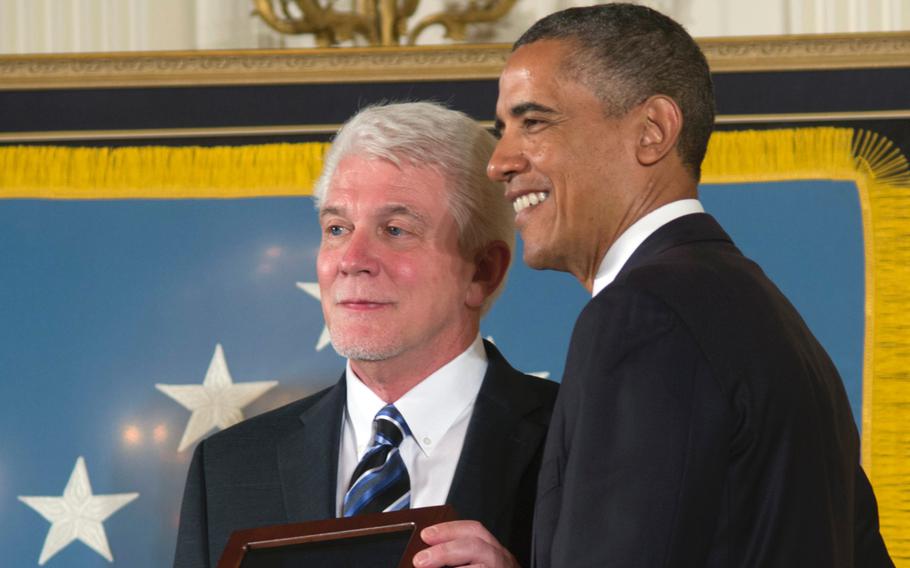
(308, 459)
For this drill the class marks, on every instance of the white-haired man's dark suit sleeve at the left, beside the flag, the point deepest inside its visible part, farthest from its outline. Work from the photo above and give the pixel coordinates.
(192, 536)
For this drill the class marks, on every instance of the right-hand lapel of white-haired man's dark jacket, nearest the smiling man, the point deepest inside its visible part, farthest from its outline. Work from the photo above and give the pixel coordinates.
(499, 445)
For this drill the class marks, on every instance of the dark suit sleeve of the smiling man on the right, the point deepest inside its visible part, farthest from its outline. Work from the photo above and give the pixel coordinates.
(645, 441)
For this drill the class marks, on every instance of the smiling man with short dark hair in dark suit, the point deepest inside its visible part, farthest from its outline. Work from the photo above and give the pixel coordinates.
(699, 422)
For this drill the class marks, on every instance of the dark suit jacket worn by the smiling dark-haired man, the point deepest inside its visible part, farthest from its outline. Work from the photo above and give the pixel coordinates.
(700, 423)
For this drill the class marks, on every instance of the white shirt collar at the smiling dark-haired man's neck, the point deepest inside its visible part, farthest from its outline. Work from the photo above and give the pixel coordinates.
(631, 239)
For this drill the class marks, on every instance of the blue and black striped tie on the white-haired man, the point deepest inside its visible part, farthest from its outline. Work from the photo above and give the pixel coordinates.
(380, 482)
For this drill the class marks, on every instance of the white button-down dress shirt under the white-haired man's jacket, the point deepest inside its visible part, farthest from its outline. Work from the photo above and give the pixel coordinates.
(437, 411)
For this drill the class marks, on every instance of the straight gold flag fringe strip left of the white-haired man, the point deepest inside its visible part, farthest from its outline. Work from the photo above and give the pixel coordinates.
(159, 172)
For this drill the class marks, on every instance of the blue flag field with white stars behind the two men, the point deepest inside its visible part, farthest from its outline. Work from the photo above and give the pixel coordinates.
(132, 329)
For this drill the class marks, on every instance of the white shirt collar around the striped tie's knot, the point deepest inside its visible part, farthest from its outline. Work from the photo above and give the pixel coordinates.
(431, 407)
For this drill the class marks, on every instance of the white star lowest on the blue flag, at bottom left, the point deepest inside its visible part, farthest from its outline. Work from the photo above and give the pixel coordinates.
(77, 514)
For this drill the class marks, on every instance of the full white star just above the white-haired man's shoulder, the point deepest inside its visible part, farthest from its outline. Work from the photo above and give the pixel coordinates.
(217, 402)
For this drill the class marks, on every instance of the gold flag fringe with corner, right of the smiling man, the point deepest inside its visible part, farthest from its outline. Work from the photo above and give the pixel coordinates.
(882, 177)
